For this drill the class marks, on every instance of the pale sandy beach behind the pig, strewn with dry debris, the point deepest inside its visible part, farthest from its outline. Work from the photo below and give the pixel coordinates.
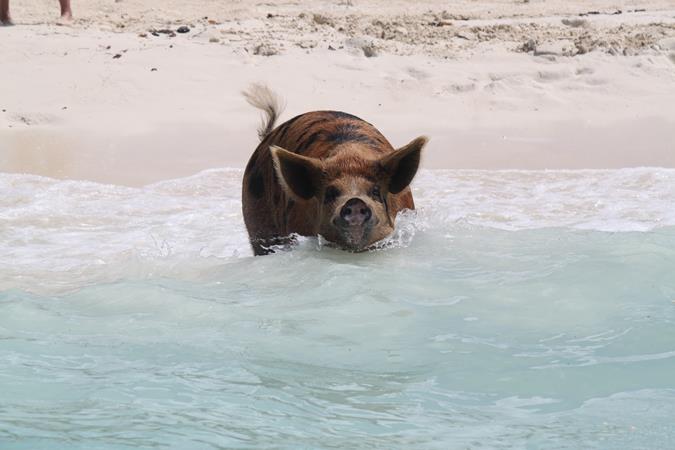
(119, 96)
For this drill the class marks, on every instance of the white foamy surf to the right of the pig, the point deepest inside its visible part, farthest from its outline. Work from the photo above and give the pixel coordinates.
(607, 200)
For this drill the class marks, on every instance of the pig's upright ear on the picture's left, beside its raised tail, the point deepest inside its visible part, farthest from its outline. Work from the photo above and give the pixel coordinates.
(299, 176)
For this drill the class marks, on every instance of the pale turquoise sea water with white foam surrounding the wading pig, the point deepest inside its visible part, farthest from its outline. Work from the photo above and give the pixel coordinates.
(513, 309)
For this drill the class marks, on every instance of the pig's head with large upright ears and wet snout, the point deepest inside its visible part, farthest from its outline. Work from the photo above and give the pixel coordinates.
(352, 190)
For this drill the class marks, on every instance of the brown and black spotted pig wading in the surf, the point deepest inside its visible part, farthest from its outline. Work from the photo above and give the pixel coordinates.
(324, 173)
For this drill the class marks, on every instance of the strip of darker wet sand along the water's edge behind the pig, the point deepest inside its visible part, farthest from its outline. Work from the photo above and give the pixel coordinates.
(116, 160)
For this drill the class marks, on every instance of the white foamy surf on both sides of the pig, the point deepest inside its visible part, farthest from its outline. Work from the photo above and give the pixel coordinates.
(54, 231)
